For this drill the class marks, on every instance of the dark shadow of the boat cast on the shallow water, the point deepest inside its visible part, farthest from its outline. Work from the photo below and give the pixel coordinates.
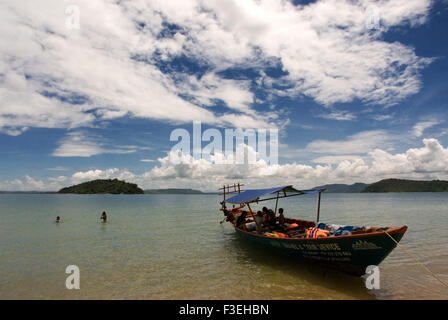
(305, 272)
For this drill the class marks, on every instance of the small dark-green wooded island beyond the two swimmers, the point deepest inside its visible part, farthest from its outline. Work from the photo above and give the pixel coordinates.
(114, 186)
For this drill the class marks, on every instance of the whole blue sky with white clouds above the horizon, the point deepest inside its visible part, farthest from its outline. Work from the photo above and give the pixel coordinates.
(94, 90)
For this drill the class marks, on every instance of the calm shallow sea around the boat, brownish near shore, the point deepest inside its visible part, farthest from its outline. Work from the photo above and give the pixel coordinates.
(173, 247)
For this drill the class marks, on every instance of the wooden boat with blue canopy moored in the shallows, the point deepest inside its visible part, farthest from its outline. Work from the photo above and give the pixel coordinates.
(351, 253)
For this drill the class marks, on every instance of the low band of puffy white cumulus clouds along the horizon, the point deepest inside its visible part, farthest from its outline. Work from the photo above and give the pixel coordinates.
(427, 162)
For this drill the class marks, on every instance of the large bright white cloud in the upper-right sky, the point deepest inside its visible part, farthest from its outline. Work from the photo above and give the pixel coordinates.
(324, 46)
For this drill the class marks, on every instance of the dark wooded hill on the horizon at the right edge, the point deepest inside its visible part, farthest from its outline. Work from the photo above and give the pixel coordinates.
(398, 185)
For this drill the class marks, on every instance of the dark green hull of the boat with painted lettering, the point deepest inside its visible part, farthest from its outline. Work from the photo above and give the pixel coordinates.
(351, 254)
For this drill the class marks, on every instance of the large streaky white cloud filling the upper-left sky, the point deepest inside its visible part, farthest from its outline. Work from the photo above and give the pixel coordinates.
(92, 65)
